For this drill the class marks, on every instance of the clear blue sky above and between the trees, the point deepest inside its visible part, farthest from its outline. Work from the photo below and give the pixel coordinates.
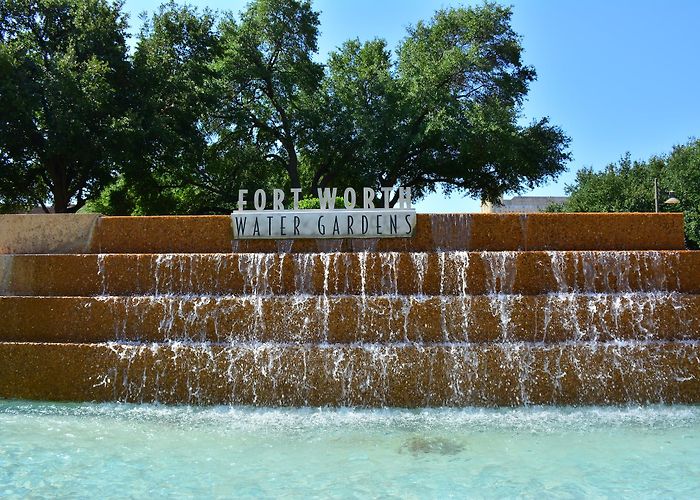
(617, 76)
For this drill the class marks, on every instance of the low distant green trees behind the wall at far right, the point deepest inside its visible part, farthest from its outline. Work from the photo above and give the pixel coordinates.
(629, 187)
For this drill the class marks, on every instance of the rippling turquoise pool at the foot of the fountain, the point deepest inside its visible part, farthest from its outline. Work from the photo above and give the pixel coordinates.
(117, 450)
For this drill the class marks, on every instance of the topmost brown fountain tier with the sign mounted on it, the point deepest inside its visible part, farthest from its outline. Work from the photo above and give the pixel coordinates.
(23, 234)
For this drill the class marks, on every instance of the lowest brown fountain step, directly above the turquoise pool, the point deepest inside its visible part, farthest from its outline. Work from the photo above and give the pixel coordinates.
(360, 375)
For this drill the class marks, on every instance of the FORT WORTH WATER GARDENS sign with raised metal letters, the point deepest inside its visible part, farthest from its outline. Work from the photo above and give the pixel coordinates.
(329, 221)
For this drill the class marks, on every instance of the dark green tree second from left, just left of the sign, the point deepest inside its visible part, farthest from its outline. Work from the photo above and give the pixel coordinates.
(173, 70)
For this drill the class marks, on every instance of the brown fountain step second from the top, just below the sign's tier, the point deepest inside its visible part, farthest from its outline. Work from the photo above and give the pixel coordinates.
(369, 273)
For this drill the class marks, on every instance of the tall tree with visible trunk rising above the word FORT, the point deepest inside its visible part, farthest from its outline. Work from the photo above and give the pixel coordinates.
(268, 71)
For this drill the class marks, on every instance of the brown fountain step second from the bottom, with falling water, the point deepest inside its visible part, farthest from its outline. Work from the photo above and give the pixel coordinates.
(349, 319)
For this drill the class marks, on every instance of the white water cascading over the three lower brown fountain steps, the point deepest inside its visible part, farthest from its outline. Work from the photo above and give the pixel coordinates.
(351, 328)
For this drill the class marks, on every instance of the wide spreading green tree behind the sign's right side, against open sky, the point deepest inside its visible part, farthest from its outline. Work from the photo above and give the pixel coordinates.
(443, 113)
